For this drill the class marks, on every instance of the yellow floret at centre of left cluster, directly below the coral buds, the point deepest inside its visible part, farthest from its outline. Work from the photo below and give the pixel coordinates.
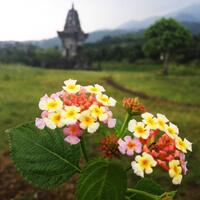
(71, 114)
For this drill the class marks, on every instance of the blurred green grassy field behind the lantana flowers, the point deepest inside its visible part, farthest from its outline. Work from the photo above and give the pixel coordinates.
(21, 88)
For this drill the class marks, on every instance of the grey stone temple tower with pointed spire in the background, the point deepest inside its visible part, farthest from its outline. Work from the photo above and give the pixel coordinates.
(72, 37)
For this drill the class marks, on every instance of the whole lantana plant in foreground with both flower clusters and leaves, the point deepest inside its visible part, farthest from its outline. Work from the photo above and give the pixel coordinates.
(49, 151)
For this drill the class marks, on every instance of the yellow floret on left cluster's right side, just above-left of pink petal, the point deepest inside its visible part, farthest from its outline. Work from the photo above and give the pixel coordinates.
(98, 112)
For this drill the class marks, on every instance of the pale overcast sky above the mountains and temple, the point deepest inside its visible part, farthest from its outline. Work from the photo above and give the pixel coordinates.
(22, 20)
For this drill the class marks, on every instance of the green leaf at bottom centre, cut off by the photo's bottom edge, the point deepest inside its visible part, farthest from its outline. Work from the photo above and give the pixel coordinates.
(102, 180)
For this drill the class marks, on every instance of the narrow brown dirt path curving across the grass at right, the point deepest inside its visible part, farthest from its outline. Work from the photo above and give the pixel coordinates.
(160, 100)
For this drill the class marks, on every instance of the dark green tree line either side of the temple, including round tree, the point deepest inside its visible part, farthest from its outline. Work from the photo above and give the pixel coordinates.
(164, 41)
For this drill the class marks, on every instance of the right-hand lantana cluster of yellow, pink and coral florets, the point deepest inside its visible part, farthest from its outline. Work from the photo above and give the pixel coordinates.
(156, 142)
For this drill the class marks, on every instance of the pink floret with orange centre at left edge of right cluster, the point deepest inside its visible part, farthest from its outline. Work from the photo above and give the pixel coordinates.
(129, 145)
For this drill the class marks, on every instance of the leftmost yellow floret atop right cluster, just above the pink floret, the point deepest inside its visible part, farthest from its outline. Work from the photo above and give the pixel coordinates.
(138, 129)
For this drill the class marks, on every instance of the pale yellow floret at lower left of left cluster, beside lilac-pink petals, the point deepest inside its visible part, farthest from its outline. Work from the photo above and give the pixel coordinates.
(54, 120)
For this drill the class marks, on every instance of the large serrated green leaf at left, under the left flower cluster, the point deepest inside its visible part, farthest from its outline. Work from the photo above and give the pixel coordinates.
(42, 156)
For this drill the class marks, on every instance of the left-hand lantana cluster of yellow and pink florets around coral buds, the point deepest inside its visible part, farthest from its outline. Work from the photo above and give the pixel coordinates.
(76, 109)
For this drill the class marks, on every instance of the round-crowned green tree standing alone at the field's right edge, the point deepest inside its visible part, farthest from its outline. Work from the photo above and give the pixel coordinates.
(166, 38)
